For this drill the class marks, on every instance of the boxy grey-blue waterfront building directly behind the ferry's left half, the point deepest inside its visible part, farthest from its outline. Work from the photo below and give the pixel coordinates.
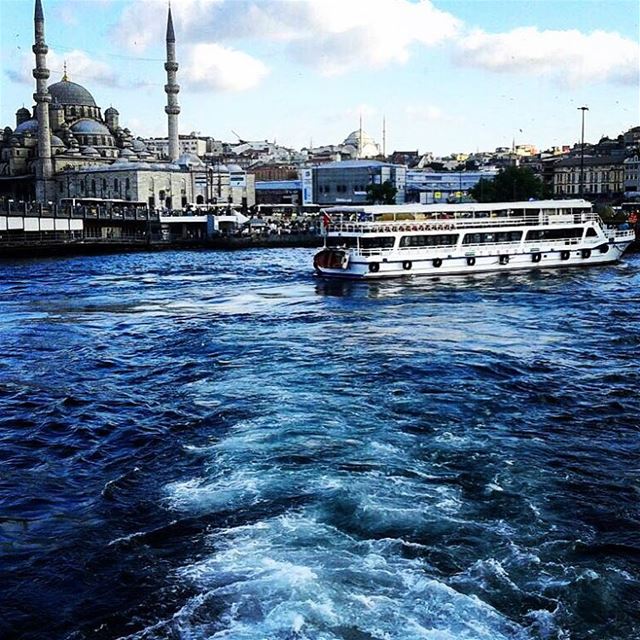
(346, 182)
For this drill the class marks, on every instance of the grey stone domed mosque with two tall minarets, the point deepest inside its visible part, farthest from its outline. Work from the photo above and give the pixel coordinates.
(67, 147)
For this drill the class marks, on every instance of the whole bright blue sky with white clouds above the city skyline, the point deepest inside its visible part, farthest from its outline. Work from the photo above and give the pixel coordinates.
(450, 75)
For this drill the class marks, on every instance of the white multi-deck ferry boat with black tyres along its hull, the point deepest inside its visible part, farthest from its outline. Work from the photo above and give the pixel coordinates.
(381, 241)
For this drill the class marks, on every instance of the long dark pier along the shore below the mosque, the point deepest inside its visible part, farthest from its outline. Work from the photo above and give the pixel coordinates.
(30, 229)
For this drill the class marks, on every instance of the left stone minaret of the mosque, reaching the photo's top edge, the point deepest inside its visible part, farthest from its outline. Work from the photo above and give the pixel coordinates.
(44, 165)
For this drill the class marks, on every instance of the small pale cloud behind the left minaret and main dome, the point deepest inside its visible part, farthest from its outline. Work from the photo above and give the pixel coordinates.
(81, 69)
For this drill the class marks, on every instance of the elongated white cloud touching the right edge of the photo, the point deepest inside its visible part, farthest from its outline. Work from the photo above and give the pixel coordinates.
(571, 56)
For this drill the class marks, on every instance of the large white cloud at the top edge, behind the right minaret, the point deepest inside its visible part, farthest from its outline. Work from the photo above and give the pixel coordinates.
(332, 36)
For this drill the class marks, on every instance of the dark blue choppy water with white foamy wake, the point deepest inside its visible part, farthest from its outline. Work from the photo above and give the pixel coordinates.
(219, 445)
